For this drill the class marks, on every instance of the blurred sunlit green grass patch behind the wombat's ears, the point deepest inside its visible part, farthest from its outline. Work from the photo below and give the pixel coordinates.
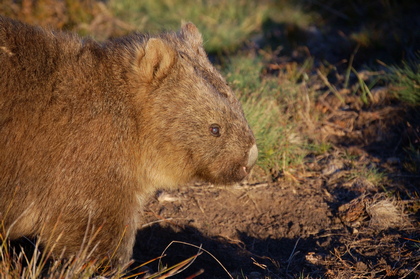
(232, 20)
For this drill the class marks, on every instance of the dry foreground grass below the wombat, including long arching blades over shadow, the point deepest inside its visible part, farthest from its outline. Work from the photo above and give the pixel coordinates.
(22, 263)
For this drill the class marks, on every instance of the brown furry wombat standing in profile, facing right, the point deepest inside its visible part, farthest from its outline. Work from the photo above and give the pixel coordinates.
(88, 129)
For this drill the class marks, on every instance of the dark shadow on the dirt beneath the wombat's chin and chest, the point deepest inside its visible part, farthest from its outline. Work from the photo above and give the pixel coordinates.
(249, 256)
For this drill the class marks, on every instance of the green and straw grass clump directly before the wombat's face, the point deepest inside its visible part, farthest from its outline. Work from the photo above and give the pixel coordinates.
(275, 106)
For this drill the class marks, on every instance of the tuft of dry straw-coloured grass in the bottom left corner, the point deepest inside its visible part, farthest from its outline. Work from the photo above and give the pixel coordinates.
(29, 259)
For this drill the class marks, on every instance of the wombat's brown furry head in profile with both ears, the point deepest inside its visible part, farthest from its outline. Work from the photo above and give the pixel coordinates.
(191, 123)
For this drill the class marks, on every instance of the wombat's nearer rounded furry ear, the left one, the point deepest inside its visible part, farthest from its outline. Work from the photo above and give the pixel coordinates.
(156, 60)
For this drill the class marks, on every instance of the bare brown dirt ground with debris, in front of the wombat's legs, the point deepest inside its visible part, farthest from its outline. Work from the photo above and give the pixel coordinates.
(326, 221)
